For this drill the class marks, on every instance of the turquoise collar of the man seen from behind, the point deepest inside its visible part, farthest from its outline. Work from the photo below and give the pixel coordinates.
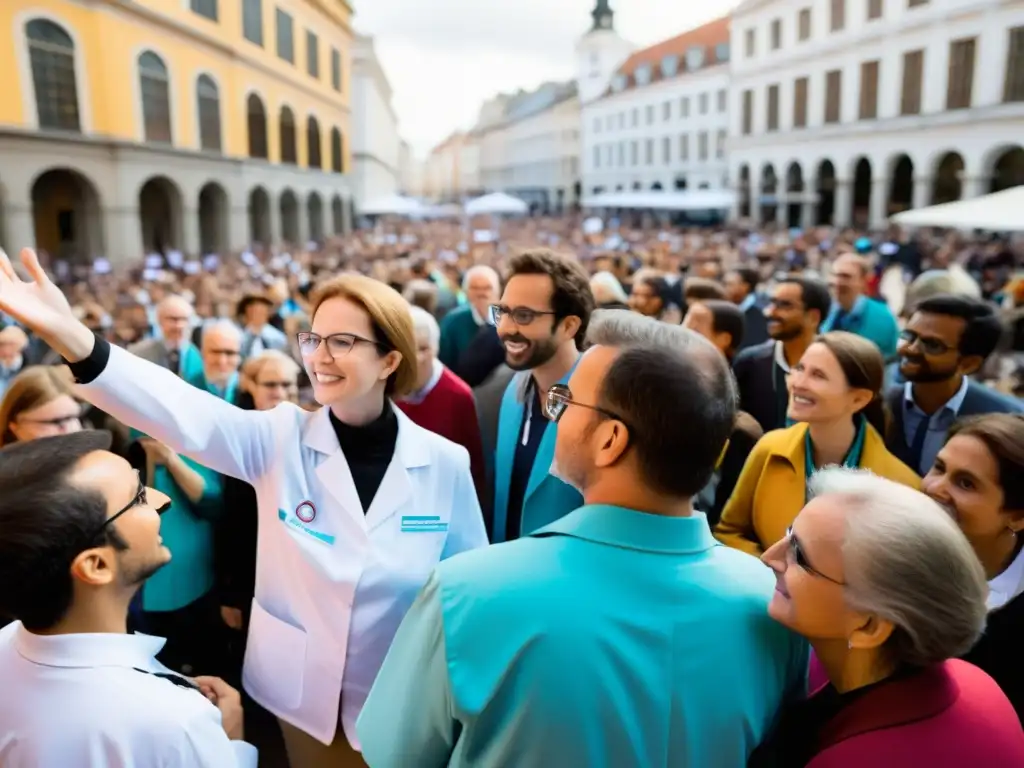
(629, 529)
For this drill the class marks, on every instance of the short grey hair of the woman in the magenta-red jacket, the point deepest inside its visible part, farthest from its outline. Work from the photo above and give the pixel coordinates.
(907, 562)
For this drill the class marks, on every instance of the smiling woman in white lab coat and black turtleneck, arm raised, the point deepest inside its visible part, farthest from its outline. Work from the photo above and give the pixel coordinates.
(357, 503)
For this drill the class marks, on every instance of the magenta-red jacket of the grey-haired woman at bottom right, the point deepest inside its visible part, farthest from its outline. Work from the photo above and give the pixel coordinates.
(952, 715)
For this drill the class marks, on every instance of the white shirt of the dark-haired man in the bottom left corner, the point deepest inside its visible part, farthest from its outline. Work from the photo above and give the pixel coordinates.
(87, 702)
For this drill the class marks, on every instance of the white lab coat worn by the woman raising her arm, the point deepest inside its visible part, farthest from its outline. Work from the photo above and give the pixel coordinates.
(332, 584)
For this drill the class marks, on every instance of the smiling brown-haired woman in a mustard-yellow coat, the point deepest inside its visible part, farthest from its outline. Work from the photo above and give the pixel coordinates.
(836, 398)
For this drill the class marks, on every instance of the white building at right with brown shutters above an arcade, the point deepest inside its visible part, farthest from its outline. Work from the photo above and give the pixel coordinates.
(844, 112)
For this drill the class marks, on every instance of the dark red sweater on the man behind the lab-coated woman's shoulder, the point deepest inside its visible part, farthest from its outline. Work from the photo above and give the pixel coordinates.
(449, 410)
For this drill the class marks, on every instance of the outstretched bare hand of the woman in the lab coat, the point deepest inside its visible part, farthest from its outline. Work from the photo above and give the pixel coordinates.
(40, 307)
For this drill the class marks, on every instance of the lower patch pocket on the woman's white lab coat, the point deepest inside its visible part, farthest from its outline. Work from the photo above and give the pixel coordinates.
(276, 659)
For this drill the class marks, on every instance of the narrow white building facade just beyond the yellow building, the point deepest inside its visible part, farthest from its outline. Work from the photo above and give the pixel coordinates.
(377, 161)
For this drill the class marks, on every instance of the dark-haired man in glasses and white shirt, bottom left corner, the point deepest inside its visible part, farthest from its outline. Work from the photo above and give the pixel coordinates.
(79, 536)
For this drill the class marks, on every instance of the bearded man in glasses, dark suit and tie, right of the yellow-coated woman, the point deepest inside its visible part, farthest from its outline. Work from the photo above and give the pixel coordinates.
(946, 342)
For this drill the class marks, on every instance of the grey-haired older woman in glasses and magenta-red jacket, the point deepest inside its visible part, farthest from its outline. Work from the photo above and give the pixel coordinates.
(887, 590)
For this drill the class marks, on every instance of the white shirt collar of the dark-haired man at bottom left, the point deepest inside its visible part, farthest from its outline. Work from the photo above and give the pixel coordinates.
(106, 650)
